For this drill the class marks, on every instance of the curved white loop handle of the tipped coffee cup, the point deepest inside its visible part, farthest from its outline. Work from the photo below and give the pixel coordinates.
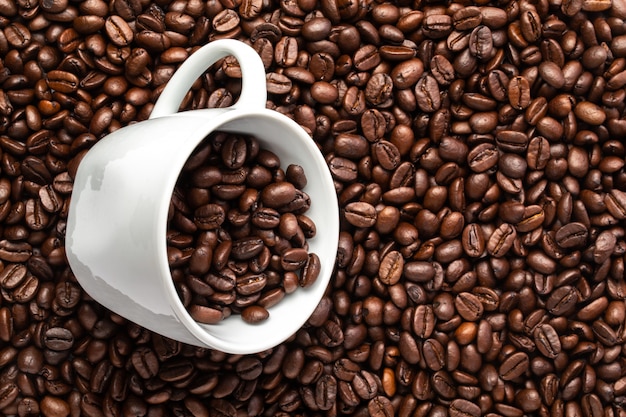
(253, 91)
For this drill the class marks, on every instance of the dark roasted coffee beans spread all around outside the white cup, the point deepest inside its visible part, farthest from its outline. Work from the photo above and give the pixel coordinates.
(478, 156)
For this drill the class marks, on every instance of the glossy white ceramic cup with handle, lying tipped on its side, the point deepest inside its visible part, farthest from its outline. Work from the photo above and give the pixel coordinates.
(115, 240)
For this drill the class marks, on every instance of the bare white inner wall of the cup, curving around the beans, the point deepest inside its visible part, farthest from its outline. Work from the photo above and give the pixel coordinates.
(292, 145)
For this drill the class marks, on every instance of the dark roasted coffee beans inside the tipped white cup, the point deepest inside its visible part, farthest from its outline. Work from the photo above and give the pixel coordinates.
(237, 230)
